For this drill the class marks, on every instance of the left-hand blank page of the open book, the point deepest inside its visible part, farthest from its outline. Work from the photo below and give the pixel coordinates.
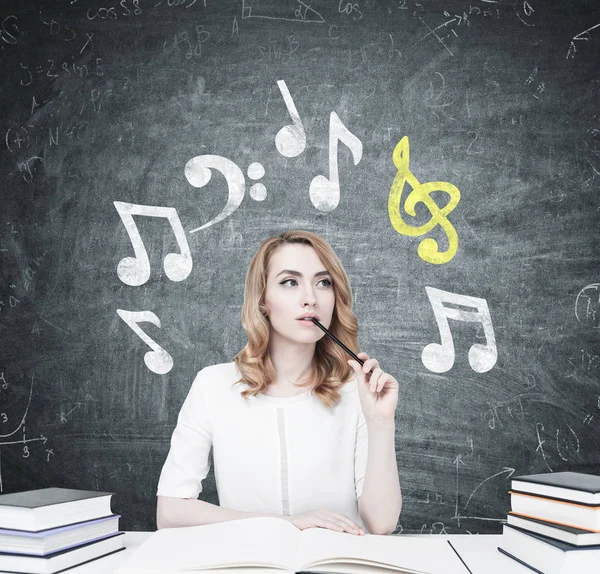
(265, 542)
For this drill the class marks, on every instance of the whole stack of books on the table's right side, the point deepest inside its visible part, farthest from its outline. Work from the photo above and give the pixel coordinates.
(554, 524)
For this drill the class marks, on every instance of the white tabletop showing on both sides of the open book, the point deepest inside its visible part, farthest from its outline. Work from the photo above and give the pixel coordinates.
(478, 551)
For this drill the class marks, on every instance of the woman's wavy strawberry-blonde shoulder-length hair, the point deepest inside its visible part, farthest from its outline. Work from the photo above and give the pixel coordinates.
(330, 368)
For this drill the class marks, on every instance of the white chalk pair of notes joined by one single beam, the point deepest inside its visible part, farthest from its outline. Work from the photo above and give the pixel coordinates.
(135, 271)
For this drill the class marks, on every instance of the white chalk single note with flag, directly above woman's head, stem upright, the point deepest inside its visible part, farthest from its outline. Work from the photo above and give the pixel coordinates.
(325, 192)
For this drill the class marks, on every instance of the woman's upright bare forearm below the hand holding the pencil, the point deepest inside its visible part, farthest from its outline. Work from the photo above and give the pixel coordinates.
(381, 500)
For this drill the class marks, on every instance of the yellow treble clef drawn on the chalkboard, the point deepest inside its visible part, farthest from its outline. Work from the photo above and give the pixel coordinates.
(428, 249)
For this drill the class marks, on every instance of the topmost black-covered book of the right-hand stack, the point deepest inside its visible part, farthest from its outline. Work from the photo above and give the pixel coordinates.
(572, 486)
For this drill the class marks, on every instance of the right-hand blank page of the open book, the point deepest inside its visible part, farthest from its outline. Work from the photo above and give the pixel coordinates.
(319, 547)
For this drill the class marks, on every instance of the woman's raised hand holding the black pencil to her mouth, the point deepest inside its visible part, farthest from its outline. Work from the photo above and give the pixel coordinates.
(378, 391)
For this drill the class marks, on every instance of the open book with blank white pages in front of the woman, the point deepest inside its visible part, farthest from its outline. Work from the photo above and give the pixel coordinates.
(249, 545)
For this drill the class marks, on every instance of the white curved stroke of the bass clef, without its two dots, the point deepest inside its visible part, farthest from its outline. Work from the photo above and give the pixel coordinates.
(198, 173)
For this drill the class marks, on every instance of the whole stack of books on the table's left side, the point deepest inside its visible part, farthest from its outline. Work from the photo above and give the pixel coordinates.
(52, 529)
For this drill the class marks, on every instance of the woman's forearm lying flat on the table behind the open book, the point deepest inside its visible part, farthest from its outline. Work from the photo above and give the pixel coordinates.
(175, 512)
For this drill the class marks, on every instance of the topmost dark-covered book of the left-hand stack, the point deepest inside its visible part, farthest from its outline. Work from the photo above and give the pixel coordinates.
(35, 510)
